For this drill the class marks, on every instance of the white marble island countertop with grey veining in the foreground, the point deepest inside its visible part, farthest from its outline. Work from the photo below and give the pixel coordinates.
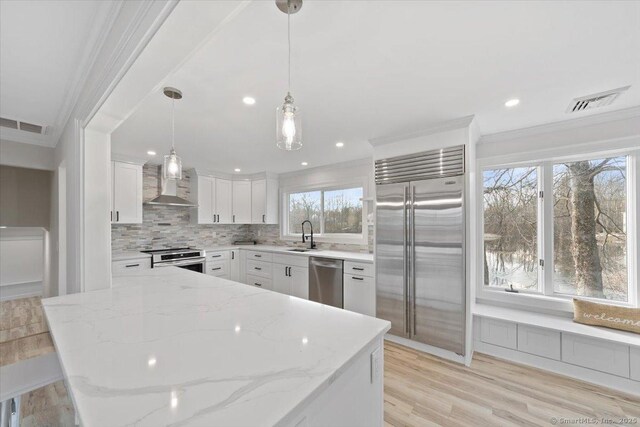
(173, 347)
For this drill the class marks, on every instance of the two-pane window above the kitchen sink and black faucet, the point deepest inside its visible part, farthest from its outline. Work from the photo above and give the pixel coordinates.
(332, 211)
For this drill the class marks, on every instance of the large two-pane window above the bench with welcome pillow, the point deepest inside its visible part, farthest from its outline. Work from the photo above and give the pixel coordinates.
(577, 210)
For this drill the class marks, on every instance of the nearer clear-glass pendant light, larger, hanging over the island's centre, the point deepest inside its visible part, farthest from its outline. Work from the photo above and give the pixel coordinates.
(288, 124)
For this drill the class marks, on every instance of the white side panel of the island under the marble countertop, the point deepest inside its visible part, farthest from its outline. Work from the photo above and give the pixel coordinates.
(355, 398)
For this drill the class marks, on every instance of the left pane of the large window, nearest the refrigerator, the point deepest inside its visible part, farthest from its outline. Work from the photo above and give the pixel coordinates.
(510, 228)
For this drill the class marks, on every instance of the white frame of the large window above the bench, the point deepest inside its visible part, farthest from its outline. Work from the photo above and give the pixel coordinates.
(547, 298)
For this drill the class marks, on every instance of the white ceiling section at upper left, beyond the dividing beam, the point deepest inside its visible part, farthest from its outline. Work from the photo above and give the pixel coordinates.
(45, 50)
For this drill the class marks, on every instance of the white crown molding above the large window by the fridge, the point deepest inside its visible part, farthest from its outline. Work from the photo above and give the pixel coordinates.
(627, 113)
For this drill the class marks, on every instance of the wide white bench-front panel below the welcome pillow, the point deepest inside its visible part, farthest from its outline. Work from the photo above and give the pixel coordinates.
(605, 356)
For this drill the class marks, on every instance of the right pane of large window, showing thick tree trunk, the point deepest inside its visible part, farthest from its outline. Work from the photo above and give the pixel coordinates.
(590, 240)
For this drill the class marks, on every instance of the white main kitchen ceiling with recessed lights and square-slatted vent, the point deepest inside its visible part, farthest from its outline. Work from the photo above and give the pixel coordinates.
(375, 69)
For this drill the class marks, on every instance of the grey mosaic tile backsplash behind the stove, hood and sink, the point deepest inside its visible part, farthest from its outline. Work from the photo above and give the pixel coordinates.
(168, 226)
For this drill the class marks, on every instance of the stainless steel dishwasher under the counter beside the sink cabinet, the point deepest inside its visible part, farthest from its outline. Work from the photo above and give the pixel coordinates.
(325, 281)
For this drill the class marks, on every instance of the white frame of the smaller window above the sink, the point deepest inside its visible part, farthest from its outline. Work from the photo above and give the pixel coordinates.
(319, 236)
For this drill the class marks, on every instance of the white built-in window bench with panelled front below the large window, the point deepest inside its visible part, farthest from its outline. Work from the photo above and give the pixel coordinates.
(595, 354)
